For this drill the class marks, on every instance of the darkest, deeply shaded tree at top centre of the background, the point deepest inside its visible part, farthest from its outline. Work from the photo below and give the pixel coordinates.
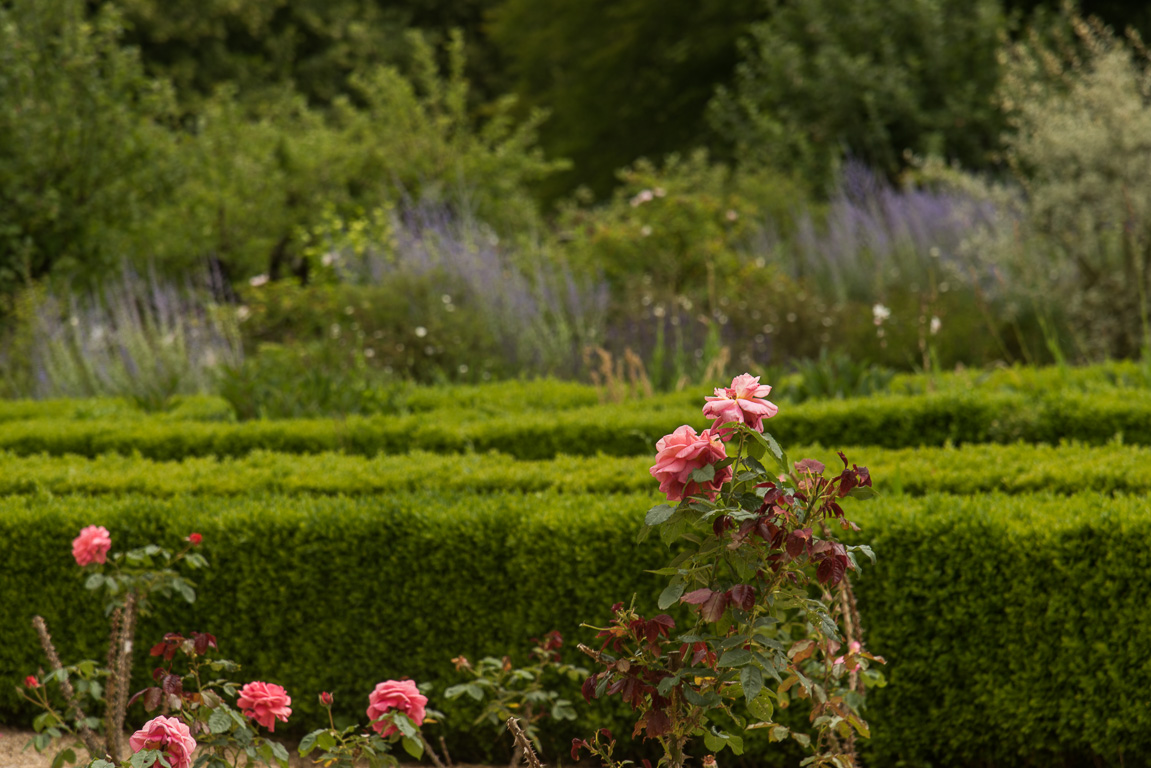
(622, 79)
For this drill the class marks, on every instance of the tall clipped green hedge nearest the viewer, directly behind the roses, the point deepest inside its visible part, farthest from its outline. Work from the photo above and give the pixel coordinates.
(1018, 629)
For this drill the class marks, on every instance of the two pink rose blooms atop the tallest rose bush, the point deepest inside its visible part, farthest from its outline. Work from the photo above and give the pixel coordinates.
(684, 452)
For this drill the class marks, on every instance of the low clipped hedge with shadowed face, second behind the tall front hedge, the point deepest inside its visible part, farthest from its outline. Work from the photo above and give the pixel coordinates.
(618, 430)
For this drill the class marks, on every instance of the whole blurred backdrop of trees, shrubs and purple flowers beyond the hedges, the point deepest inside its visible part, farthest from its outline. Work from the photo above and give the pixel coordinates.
(266, 199)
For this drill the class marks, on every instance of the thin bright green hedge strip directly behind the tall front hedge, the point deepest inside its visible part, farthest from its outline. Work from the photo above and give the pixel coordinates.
(1019, 468)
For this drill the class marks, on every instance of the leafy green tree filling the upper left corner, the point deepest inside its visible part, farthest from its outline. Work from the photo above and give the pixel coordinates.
(82, 136)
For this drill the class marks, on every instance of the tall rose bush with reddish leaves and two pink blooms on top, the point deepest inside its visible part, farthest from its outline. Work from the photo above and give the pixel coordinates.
(758, 561)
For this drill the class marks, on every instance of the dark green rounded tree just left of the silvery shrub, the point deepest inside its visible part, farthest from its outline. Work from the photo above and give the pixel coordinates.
(874, 79)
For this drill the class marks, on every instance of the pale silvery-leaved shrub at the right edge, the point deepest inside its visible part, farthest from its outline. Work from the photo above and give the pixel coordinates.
(1079, 105)
